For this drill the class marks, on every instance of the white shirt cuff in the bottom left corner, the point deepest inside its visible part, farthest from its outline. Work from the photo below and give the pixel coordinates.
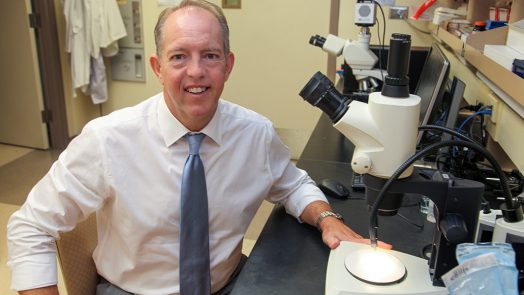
(39, 272)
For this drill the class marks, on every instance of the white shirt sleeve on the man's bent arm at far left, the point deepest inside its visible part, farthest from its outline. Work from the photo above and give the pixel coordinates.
(72, 189)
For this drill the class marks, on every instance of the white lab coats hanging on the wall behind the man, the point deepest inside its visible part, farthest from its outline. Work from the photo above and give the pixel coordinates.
(91, 25)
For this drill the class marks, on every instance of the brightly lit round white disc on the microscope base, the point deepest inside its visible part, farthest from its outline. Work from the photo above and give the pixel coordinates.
(375, 266)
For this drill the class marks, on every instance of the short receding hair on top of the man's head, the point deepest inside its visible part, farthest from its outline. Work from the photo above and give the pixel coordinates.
(214, 9)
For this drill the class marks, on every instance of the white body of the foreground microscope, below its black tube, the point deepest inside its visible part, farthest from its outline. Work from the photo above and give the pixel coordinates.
(383, 131)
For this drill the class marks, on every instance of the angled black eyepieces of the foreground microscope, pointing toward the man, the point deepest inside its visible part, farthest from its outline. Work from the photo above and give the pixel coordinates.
(320, 92)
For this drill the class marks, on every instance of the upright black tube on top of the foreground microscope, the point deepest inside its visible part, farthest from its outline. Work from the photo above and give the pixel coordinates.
(396, 83)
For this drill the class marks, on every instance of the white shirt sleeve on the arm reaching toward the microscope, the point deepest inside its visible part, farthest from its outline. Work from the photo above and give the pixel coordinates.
(292, 186)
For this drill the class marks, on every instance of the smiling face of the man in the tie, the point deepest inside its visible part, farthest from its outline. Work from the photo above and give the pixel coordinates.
(193, 66)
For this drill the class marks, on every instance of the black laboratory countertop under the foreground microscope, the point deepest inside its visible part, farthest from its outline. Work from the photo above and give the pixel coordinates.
(290, 258)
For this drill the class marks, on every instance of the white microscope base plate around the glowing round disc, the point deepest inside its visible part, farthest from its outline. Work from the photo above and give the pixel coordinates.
(340, 282)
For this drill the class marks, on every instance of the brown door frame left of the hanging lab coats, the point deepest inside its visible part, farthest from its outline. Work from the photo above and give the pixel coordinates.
(48, 51)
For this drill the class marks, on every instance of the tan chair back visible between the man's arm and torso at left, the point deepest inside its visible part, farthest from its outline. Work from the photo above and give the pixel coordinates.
(75, 251)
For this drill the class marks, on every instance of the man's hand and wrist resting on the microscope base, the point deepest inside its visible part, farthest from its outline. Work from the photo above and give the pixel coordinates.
(333, 230)
